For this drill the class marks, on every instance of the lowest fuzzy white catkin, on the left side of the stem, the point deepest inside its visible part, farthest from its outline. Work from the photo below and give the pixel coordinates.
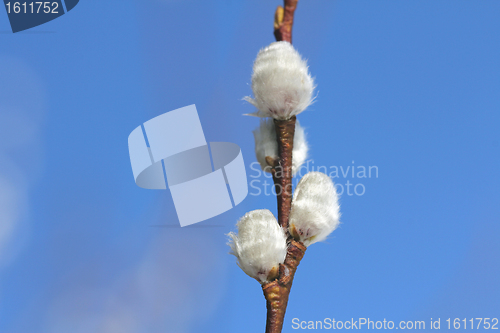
(260, 244)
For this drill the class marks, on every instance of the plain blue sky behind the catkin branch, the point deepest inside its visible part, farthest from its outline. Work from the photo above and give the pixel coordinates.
(411, 87)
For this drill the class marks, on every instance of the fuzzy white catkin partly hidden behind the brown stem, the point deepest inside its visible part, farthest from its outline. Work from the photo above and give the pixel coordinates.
(266, 145)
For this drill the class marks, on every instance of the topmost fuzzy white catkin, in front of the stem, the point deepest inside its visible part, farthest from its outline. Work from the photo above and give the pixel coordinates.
(281, 83)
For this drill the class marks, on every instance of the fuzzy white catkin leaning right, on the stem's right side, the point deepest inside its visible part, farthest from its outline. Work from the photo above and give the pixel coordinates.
(315, 209)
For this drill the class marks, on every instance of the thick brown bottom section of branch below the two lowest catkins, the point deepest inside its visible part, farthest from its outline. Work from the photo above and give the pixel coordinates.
(277, 291)
